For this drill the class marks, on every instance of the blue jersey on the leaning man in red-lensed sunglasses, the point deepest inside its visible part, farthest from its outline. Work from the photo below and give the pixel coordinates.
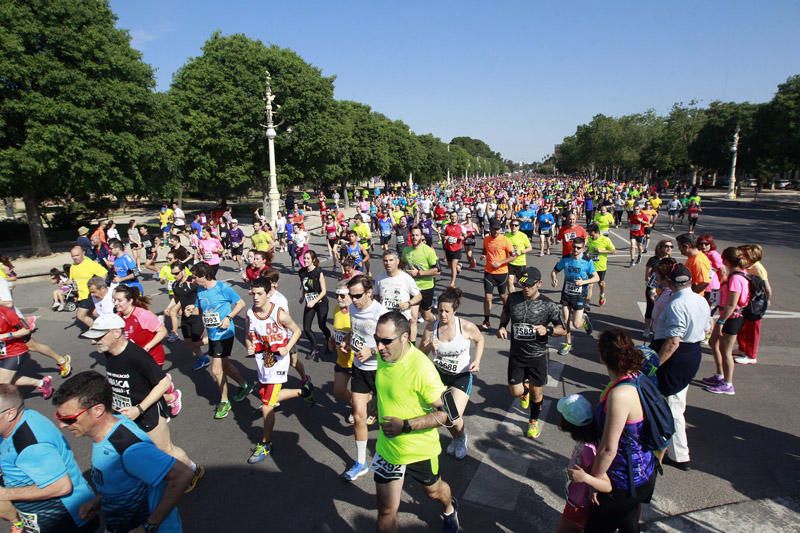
(129, 472)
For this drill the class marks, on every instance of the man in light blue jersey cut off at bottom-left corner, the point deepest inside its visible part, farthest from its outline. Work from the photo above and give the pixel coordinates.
(43, 489)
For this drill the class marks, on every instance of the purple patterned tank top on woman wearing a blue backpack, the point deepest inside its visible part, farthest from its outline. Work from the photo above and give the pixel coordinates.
(643, 461)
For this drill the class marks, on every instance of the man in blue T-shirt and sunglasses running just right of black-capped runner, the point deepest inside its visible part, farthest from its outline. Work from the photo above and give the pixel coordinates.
(579, 273)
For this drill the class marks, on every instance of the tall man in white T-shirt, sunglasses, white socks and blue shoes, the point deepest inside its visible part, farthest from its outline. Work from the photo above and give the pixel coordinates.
(364, 314)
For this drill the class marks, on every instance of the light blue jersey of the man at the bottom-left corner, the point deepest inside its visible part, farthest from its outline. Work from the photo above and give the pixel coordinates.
(36, 453)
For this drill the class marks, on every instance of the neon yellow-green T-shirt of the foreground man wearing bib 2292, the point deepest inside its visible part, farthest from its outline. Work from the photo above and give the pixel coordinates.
(406, 389)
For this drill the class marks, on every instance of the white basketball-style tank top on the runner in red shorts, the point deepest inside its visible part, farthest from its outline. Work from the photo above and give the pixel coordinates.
(268, 336)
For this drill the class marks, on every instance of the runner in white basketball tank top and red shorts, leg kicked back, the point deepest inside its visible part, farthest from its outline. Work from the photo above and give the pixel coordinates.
(268, 327)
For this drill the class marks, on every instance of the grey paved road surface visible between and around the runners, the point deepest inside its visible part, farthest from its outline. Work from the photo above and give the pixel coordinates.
(743, 447)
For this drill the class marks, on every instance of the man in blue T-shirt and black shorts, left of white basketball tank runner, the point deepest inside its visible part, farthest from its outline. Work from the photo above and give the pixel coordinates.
(217, 303)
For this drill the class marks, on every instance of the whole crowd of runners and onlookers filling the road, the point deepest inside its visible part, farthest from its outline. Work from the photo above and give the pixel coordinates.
(403, 359)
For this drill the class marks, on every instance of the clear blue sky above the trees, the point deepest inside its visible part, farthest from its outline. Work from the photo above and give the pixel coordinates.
(518, 74)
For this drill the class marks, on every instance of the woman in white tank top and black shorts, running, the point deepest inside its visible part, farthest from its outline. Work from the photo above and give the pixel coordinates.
(450, 340)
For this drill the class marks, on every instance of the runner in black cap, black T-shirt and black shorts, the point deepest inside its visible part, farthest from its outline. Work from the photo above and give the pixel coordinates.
(533, 318)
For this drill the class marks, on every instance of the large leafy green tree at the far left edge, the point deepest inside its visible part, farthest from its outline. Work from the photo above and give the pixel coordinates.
(75, 103)
